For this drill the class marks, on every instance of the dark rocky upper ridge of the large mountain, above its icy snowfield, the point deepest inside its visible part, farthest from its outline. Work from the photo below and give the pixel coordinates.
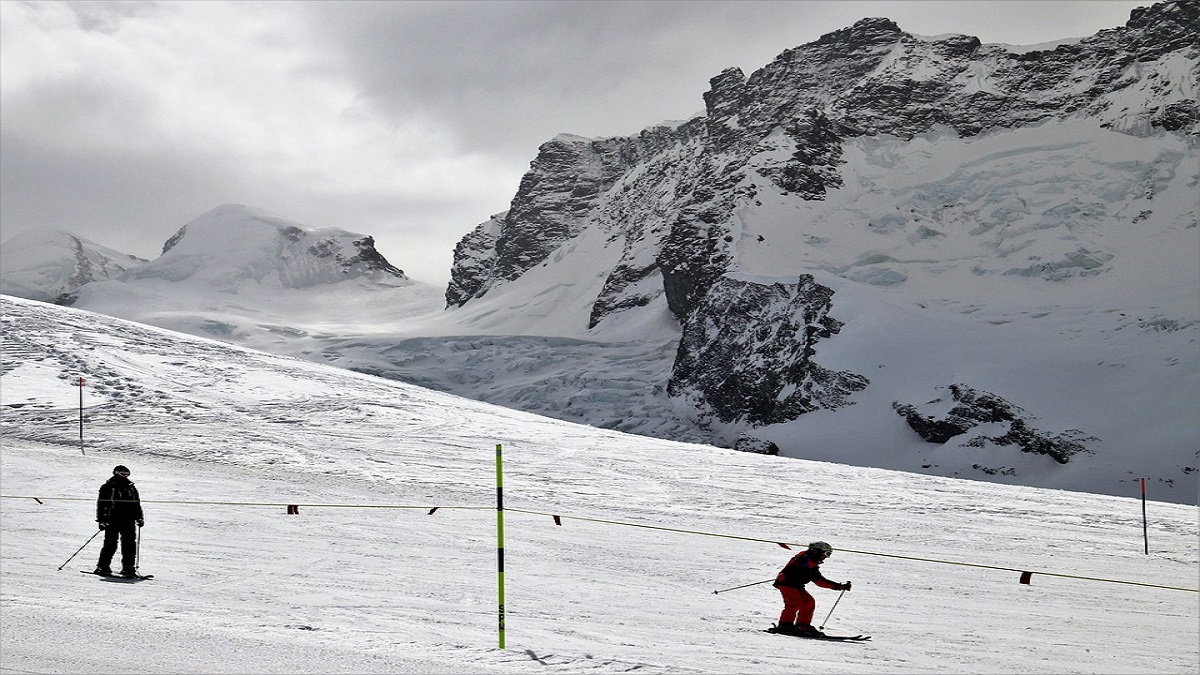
(671, 192)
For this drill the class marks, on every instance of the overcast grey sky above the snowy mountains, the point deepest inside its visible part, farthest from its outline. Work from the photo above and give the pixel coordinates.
(410, 122)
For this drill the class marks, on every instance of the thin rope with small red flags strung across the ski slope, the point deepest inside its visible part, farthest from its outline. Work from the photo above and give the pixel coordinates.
(559, 517)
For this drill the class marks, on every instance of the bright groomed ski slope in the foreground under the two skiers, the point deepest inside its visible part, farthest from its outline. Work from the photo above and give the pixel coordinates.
(220, 439)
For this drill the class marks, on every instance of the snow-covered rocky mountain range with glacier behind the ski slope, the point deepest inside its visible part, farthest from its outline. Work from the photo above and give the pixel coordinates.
(881, 249)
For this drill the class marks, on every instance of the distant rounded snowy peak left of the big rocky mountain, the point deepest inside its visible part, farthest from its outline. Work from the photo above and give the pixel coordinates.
(243, 274)
